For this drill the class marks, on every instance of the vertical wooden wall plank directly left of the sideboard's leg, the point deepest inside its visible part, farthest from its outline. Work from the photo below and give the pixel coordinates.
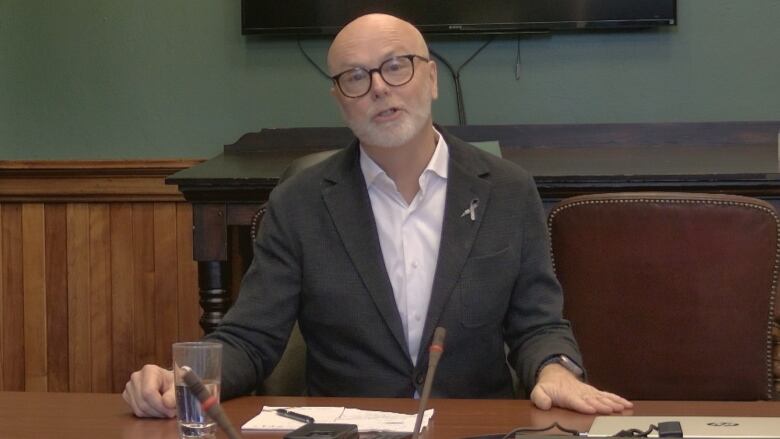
(187, 270)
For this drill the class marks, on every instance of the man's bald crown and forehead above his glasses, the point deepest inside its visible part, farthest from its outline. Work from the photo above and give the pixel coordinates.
(373, 34)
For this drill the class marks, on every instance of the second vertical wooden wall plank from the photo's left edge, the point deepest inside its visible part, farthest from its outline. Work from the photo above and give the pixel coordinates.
(34, 280)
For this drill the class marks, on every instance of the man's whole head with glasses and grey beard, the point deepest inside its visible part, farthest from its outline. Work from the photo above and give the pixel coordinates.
(386, 59)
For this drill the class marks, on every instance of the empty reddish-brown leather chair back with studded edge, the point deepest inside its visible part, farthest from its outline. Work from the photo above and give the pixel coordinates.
(671, 296)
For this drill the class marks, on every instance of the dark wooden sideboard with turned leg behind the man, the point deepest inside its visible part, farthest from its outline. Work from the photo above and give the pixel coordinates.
(566, 160)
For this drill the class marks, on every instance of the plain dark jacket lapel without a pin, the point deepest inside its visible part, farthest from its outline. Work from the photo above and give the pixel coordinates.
(346, 197)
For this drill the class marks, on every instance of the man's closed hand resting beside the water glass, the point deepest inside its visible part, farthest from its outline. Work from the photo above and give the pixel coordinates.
(150, 392)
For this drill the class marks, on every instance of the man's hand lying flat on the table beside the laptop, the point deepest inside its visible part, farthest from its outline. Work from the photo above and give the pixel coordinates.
(559, 387)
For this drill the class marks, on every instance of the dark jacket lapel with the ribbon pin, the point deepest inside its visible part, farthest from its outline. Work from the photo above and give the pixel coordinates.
(465, 183)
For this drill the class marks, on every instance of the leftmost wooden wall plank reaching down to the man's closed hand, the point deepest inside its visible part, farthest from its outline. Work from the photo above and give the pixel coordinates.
(122, 289)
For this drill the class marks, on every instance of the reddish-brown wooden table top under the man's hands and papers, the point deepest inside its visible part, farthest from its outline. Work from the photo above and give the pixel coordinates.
(92, 415)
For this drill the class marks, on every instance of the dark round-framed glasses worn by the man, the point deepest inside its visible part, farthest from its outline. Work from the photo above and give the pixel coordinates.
(395, 71)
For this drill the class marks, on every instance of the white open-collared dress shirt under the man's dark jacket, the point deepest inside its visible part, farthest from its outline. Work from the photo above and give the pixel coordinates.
(409, 235)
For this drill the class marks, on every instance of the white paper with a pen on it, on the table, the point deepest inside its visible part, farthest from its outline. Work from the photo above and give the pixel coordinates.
(366, 420)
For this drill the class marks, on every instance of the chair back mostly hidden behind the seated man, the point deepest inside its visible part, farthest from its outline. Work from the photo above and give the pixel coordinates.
(289, 376)
